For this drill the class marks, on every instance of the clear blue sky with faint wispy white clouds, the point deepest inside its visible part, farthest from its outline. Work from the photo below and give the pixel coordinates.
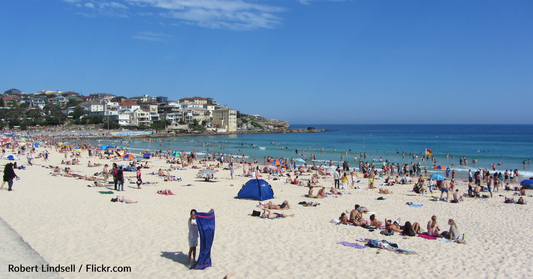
(314, 61)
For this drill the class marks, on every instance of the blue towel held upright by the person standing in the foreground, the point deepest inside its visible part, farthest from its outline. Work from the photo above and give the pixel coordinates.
(206, 228)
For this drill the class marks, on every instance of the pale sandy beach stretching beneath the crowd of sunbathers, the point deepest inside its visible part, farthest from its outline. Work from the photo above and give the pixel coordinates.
(67, 223)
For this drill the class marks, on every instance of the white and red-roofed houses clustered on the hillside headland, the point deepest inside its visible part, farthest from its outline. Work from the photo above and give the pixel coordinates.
(138, 111)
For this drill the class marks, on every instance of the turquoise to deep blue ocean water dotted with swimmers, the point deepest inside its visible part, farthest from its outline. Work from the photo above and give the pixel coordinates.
(509, 145)
